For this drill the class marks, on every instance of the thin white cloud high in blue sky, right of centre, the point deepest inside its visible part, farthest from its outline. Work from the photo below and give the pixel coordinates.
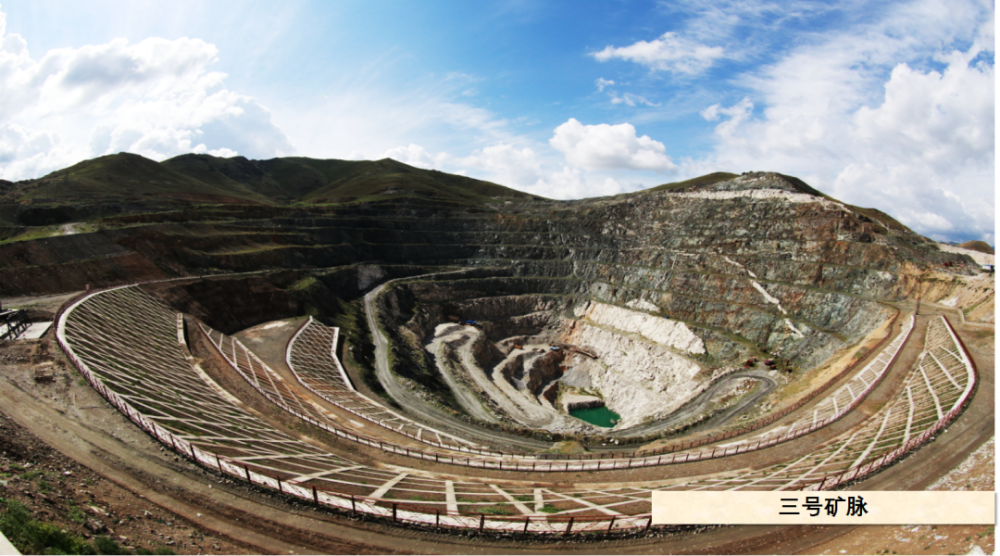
(669, 53)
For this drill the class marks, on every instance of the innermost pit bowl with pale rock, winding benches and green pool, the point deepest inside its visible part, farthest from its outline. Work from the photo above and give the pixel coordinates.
(636, 374)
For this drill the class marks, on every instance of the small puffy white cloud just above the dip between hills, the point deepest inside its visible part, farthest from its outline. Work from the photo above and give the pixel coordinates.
(607, 147)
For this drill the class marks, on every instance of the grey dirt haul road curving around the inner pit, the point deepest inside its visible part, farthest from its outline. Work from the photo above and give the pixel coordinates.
(416, 406)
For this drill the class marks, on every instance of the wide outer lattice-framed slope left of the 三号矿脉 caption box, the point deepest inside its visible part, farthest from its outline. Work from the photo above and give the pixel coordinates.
(127, 344)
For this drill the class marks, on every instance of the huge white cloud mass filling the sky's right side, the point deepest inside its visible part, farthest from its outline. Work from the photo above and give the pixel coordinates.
(868, 117)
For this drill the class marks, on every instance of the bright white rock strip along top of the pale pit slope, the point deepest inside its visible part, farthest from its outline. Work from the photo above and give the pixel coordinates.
(657, 329)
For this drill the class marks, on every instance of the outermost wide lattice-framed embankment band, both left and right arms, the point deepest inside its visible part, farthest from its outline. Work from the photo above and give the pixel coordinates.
(128, 345)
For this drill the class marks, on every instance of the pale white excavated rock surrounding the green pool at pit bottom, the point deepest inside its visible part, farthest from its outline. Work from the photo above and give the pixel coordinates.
(644, 369)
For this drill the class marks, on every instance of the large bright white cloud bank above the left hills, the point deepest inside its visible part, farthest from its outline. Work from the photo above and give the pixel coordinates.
(156, 98)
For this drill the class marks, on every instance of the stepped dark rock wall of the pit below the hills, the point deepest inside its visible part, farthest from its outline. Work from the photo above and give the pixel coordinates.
(754, 266)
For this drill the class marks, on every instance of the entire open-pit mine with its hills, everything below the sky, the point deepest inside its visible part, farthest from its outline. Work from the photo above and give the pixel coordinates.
(362, 357)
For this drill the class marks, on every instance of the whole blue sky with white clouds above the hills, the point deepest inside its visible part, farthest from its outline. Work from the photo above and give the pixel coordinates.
(885, 104)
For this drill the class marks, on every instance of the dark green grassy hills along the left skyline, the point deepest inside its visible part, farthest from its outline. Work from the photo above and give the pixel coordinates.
(283, 181)
